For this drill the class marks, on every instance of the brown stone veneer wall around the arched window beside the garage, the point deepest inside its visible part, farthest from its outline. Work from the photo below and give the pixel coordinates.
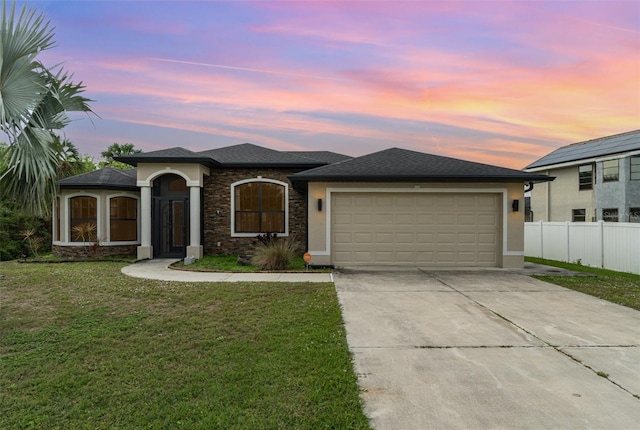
(217, 210)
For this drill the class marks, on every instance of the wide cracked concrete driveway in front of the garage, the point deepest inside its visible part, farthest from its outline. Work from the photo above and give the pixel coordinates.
(482, 349)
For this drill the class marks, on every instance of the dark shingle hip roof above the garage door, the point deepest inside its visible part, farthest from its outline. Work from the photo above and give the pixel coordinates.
(401, 165)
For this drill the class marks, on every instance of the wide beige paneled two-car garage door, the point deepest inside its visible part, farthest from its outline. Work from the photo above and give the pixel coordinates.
(415, 229)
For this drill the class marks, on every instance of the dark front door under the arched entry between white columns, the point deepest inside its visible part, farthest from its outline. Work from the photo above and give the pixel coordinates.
(171, 227)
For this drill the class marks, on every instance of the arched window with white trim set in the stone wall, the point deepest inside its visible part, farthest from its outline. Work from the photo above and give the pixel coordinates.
(259, 207)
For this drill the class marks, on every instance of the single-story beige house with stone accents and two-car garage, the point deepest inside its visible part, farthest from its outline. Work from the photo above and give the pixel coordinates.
(392, 207)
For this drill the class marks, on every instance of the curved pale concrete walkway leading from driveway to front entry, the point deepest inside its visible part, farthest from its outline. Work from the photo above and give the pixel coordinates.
(158, 269)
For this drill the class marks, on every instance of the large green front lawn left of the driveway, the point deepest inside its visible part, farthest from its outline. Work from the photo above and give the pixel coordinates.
(83, 346)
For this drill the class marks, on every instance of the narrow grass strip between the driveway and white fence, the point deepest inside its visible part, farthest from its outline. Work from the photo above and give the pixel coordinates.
(617, 287)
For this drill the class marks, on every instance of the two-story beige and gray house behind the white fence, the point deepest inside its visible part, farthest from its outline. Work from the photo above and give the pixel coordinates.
(595, 180)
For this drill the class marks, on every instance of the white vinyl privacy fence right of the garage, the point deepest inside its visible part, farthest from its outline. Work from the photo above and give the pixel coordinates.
(611, 245)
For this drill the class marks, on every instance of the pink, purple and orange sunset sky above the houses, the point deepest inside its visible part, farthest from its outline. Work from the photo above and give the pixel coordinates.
(499, 82)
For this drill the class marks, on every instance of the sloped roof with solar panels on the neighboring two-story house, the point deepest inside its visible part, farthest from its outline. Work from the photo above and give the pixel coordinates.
(610, 145)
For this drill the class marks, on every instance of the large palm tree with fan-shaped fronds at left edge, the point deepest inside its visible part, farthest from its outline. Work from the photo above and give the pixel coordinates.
(34, 102)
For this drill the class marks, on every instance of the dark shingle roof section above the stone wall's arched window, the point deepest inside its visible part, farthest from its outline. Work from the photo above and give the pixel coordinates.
(249, 155)
